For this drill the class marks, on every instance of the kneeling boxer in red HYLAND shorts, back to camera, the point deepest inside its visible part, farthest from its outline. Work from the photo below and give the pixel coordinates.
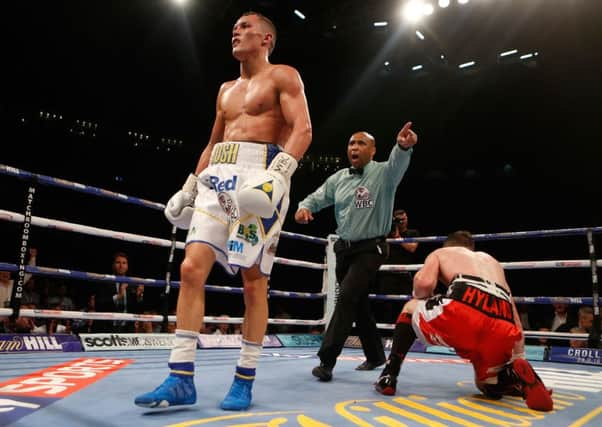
(477, 317)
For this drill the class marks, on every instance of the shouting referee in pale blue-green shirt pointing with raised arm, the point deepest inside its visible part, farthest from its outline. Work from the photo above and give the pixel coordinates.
(363, 197)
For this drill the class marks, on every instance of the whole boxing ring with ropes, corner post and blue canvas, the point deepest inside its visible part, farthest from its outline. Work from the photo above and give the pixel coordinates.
(96, 388)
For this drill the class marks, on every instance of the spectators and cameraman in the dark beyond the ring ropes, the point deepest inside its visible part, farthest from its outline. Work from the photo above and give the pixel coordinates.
(41, 292)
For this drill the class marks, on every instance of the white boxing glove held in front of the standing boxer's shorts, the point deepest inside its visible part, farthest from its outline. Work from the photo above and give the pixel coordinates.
(261, 194)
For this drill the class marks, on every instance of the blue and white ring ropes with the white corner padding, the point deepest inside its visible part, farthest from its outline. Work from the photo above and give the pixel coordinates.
(329, 272)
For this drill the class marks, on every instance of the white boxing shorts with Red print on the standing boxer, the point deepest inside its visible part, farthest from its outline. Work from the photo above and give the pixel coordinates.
(238, 238)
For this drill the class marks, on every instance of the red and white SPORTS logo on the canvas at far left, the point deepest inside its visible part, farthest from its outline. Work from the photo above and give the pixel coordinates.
(21, 396)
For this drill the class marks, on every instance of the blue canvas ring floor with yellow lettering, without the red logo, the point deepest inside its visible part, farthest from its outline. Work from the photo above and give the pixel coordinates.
(434, 390)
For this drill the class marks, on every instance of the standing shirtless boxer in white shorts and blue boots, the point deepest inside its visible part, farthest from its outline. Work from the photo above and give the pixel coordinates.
(235, 203)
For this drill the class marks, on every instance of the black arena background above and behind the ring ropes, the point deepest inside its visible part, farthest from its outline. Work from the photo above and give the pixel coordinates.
(506, 145)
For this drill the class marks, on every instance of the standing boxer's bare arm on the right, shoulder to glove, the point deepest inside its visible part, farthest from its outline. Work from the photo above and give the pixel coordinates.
(293, 105)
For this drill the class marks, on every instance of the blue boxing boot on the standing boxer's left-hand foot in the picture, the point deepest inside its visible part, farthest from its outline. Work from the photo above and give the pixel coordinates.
(177, 389)
